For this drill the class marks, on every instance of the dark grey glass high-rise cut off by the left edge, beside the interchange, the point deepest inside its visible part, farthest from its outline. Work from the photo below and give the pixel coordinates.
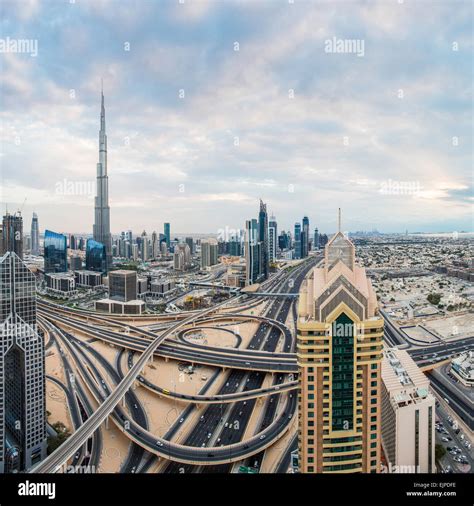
(22, 370)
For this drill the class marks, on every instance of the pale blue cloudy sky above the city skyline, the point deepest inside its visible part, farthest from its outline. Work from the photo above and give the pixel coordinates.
(212, 105)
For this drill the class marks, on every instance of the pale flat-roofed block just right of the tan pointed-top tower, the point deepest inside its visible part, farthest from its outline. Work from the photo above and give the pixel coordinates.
(408, 415)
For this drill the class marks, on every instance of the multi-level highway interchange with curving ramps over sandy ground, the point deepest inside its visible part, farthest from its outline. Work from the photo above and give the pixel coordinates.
(219, 437)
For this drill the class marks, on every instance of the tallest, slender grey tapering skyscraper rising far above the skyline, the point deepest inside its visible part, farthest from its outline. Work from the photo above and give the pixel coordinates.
(101, 230)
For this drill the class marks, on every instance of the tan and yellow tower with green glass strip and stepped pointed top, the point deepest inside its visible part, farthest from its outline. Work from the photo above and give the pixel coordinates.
(339, 353)
